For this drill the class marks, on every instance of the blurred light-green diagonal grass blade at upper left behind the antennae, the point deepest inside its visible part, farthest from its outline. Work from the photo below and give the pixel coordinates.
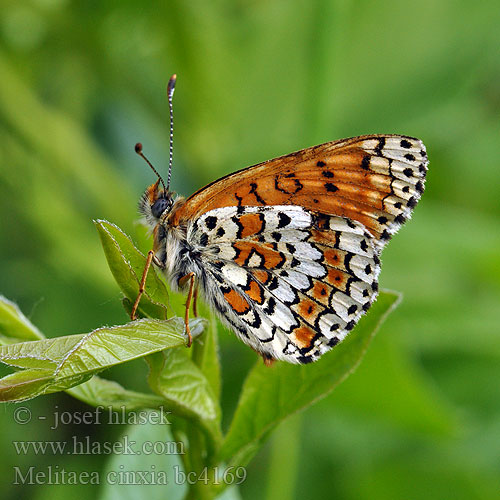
(62, 144)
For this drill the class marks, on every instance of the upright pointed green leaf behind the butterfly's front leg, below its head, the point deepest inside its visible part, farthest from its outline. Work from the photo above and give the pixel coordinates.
(127, 265)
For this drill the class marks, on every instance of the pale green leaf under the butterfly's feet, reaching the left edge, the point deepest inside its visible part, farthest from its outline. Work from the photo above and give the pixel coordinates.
(60, 363)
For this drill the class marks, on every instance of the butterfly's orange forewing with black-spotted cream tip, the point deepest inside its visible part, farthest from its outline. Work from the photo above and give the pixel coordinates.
(376, 180)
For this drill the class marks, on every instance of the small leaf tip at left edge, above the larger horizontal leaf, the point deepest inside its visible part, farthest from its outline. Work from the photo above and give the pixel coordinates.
(14, 325)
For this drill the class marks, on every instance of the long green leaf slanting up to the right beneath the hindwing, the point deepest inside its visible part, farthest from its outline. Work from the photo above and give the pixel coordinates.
(270, 394)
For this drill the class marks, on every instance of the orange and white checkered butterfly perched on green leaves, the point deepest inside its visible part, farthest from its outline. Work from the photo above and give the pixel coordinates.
(287, 252)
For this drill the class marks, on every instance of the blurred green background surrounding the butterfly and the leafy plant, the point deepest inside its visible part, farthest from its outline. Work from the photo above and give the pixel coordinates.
(81, 82)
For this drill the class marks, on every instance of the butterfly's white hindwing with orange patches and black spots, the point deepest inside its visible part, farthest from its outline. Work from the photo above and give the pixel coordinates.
(290, 282)
